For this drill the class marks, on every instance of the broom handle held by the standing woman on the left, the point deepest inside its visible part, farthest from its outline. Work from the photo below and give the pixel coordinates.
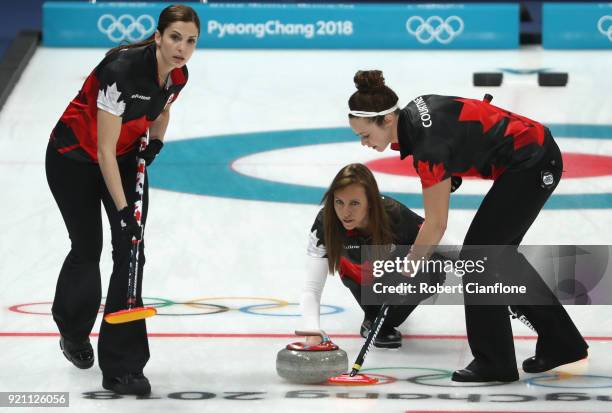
(135, 252)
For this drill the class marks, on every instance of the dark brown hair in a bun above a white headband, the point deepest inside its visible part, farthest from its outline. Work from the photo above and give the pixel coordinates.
(372, 94)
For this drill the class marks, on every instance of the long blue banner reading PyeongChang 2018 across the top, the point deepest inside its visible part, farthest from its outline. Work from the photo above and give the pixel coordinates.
(295, 26)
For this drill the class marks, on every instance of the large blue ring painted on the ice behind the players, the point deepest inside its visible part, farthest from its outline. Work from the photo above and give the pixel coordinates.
(203, 166)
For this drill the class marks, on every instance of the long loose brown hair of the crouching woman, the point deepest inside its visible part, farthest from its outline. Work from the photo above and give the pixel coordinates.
(378, 222)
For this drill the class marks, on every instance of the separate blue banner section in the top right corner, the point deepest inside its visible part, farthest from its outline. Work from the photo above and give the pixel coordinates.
(577, 26)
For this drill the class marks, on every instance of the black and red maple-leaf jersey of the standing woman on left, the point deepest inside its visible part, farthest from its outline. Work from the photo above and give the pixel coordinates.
(125, 84)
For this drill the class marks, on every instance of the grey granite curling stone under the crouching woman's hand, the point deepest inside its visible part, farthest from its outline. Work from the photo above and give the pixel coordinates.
(300, 363)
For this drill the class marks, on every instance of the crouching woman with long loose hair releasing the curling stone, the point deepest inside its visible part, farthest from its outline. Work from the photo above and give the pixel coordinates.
(355, 217)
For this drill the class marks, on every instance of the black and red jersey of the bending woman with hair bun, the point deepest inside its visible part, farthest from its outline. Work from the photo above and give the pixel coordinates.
(452, 136)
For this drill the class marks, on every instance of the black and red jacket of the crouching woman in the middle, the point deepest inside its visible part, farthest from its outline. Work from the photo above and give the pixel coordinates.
(404, 224)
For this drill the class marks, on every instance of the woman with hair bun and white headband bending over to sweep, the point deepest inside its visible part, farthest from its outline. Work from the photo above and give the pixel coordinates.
(453, 137)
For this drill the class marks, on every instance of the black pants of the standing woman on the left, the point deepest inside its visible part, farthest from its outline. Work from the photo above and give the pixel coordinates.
(79, 190)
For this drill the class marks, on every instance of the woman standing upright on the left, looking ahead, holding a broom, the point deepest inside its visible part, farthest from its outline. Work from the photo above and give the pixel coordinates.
(91, 159)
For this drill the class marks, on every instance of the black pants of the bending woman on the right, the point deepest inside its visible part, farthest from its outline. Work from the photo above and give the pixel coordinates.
(506, 213)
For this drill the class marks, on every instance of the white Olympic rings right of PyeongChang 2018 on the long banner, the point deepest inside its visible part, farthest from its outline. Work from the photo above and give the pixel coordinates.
(436, 28)
